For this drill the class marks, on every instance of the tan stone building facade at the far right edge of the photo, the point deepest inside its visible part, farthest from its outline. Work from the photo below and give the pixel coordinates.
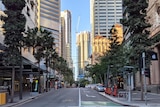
(153, 14)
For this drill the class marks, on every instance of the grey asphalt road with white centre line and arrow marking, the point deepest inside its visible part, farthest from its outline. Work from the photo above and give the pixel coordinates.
(70, 97)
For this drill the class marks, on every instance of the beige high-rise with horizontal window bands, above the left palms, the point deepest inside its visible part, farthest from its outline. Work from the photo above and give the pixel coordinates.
(50, 19)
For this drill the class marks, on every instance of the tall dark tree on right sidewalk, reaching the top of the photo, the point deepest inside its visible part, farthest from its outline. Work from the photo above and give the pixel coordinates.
(138, 25)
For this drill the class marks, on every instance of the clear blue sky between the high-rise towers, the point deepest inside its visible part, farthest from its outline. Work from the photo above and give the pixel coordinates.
(80, 9)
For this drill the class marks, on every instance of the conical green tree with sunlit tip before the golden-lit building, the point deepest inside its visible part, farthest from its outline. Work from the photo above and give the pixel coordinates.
(113, 57)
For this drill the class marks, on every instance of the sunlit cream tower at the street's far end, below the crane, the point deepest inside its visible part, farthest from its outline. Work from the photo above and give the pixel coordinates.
(83, 46)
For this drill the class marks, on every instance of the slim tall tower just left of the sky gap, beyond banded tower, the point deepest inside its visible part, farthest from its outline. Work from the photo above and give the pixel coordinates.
(66, 44)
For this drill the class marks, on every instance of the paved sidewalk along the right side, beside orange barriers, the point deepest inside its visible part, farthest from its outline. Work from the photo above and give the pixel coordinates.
(153, 100)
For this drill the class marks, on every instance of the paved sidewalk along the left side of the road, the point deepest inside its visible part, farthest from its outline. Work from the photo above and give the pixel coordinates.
(26, 97)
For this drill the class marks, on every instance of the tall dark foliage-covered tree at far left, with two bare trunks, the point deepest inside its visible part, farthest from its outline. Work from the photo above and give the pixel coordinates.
(13, 28)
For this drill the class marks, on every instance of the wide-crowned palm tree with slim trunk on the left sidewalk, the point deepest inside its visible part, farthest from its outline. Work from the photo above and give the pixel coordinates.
(42, 43)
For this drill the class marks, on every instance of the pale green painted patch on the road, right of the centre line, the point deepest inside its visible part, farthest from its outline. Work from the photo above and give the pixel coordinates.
(98, 103)
